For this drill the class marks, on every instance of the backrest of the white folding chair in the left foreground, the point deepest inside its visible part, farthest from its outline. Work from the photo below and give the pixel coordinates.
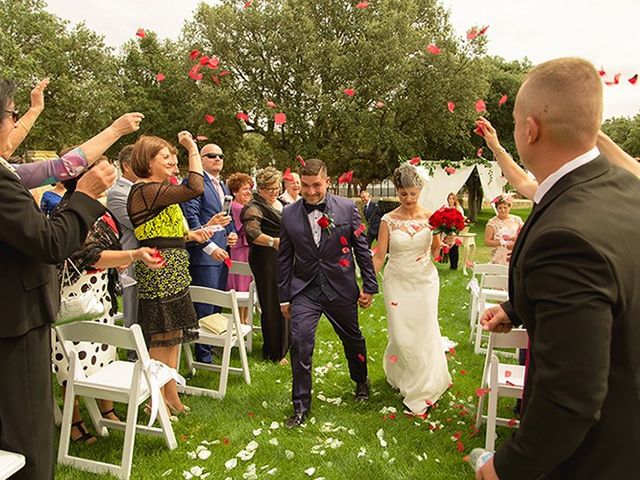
(120, 337)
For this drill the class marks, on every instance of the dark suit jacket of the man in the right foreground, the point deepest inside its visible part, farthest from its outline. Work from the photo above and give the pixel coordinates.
(574, 283)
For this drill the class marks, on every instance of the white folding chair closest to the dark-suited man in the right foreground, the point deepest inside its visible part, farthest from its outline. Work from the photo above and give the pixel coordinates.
(501, 380)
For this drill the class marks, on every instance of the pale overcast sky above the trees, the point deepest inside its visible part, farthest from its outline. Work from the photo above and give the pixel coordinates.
(605, 32)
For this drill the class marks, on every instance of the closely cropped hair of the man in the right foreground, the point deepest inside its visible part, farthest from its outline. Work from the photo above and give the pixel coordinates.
(565, 96)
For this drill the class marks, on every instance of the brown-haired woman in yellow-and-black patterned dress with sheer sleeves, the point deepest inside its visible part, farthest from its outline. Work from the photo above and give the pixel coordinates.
(165, 311)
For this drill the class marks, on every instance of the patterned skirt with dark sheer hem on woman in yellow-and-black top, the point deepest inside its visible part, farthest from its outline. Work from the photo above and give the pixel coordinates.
(164, 304)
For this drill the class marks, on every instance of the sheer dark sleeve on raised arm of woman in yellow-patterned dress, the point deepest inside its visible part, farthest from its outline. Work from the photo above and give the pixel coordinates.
(146, 200)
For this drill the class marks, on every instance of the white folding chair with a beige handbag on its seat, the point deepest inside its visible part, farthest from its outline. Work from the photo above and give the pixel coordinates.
(234, 336)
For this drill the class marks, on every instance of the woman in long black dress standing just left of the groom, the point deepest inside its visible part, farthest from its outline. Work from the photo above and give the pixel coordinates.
(261, 219)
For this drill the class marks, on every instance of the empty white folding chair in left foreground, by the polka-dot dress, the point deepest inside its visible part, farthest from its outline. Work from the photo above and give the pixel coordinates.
(120, 381)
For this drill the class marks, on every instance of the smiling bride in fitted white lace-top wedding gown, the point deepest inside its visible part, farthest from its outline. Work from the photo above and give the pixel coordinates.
(414, 361)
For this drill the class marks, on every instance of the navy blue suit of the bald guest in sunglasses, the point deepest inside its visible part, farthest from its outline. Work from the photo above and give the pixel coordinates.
(204, 270)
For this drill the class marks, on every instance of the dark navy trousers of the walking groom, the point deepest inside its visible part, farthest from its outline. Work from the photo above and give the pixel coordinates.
(306, 309)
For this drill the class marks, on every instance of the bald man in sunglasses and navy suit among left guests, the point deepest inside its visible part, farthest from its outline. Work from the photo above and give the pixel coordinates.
(207, 260)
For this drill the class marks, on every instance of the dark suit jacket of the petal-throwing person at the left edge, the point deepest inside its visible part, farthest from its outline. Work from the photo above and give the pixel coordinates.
(30, 247)
